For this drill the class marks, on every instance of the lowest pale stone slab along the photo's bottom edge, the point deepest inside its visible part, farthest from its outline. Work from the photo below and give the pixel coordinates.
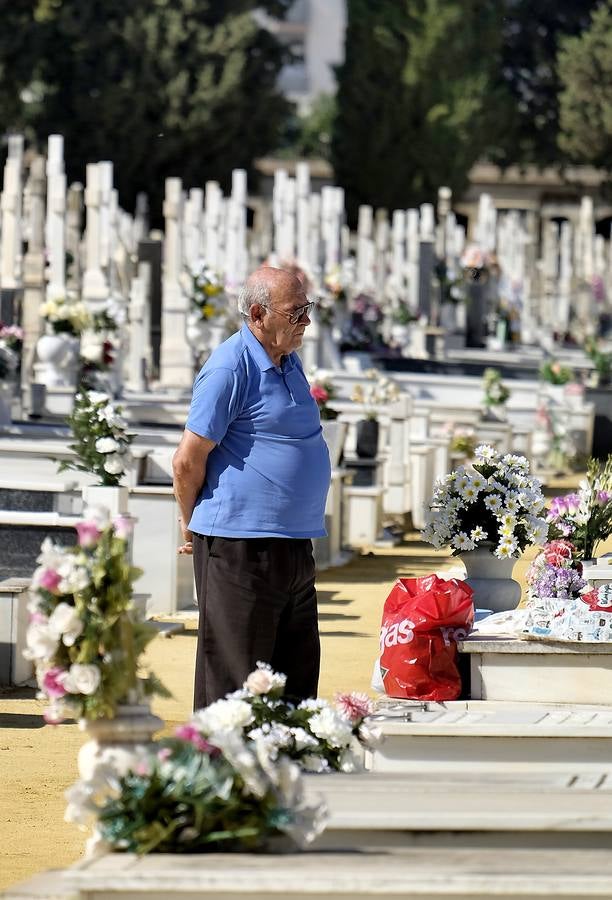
(418, 874)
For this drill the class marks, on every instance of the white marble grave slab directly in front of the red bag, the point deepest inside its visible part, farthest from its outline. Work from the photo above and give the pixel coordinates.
(492, 735)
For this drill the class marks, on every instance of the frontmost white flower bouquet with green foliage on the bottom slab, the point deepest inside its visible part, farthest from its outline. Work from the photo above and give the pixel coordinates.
(191, 794)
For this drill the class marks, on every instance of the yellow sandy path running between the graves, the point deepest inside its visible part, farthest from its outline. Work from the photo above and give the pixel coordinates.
(37, 763)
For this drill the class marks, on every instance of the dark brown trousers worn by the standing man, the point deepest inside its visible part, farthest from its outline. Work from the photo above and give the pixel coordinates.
(257, 601)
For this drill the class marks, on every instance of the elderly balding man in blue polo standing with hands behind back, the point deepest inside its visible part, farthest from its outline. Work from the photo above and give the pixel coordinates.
(251, 476)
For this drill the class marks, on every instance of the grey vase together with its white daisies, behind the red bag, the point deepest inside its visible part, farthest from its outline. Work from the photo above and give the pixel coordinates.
(489, 514)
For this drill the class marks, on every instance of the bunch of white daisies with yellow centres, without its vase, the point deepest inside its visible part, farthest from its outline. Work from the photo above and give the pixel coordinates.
(495, 504)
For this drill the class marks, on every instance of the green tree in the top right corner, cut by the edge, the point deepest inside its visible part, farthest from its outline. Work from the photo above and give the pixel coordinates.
(585, 69)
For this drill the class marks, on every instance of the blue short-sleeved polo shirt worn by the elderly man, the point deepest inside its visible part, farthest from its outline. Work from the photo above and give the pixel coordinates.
(269, 474)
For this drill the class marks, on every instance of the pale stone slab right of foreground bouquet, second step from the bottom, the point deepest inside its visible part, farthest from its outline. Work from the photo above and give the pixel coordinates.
(375, 809)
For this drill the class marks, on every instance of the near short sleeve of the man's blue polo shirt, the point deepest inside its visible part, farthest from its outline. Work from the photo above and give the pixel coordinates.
(215, 403)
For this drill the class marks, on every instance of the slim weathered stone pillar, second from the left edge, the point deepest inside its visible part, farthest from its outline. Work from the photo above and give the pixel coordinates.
(33, 277)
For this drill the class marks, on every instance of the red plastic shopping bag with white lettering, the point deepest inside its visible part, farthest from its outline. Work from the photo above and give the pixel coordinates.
(423, 618)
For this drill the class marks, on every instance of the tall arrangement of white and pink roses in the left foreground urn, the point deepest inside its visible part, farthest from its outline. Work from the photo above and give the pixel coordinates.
(83, 637)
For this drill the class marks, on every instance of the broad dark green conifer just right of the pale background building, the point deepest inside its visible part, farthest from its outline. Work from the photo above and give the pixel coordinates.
(416, 102)
